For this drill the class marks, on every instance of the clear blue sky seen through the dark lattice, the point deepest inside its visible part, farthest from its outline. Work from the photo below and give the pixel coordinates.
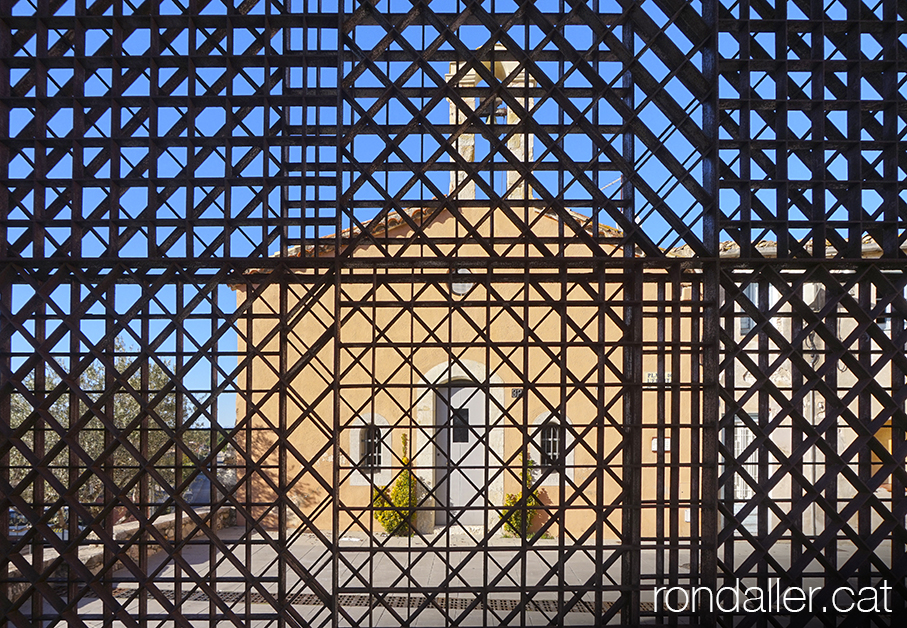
(247, 192)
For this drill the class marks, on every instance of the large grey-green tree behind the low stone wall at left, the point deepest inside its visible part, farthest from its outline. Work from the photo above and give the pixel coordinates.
(122, 428)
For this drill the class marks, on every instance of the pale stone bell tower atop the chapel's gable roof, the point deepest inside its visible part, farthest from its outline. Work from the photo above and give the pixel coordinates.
(520, 144)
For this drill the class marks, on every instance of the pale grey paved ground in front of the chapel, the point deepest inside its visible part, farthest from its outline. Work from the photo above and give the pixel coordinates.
(388, 582)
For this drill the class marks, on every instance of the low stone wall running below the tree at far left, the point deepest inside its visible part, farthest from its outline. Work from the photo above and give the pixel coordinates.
(92, 557)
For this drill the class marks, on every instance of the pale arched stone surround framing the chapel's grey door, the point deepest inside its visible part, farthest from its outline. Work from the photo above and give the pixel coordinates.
(426, 404)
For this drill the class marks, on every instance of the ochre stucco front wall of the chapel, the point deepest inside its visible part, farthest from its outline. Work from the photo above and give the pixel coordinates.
(380, 339)
